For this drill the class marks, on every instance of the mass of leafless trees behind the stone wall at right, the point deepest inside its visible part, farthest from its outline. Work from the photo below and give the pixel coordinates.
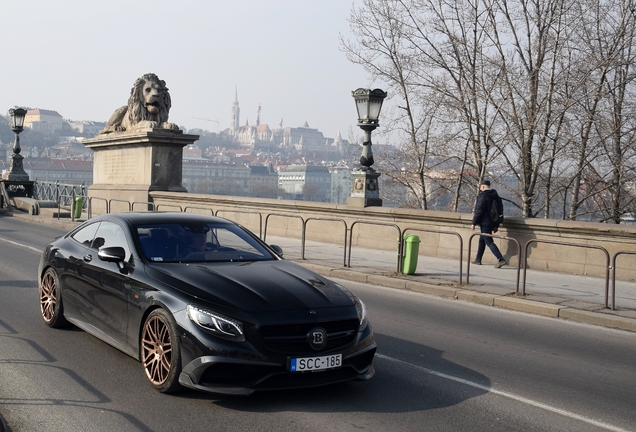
(538, 89)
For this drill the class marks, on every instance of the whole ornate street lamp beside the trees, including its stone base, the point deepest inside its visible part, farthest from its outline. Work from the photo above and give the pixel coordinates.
(365, 191)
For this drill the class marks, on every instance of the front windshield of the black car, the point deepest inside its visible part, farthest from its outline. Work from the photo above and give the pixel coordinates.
(174, 242)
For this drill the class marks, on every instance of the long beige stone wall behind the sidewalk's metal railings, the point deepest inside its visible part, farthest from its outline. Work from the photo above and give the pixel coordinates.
(542, 256)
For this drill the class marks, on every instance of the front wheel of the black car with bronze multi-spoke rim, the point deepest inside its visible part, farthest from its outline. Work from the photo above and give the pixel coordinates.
(161, 352)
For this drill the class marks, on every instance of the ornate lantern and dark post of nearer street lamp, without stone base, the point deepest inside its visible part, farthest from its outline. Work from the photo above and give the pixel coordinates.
(369, 104)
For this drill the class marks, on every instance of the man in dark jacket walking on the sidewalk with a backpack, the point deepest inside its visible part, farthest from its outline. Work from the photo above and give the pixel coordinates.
(486, 225)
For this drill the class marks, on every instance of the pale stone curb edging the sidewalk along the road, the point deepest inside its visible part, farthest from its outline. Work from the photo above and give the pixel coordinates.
(518, 304)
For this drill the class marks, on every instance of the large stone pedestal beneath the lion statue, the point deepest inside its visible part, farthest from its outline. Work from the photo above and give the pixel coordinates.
(129, 165)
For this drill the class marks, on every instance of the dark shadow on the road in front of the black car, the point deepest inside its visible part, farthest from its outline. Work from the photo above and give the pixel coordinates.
(409, 377)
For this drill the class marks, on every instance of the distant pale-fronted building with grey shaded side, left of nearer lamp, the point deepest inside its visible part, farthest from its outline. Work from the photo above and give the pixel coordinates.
(305, 182)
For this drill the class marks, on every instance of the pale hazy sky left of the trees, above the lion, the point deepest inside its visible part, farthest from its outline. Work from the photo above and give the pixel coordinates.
(81, 58)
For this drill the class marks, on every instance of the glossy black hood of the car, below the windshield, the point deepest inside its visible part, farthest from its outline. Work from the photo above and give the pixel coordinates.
(256, 286)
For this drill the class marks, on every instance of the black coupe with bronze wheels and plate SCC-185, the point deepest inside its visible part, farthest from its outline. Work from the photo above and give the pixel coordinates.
(203, 303)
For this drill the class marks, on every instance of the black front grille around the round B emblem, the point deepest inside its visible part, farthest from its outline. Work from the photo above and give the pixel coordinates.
(292, 339)
